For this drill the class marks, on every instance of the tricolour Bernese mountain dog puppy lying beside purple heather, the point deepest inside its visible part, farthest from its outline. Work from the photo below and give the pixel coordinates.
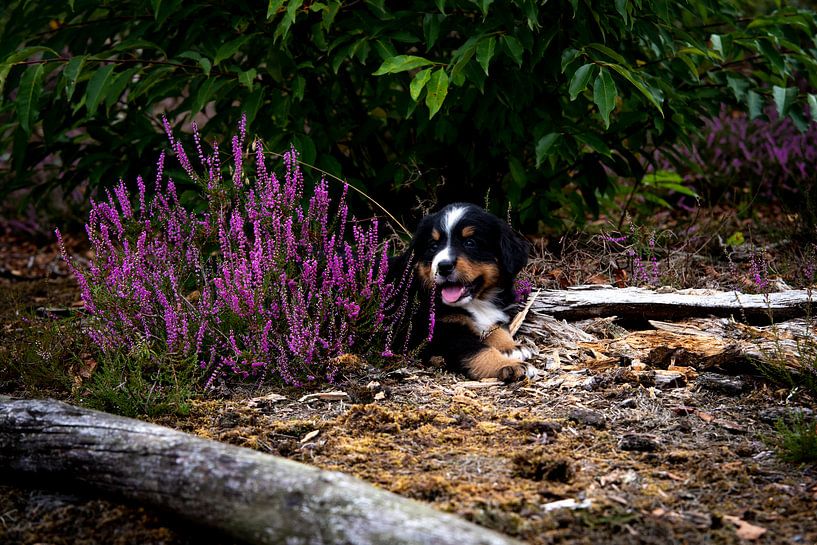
(463, 262)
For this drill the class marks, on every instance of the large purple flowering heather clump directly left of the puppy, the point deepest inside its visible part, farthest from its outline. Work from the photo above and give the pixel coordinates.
(260, 284)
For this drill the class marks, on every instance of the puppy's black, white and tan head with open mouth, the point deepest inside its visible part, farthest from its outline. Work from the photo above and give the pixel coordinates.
(467, 254)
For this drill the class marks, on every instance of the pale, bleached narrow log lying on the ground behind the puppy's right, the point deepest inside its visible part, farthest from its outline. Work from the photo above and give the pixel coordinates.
(581, 302)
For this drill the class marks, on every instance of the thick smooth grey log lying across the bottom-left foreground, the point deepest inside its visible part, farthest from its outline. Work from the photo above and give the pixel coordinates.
(251, 496)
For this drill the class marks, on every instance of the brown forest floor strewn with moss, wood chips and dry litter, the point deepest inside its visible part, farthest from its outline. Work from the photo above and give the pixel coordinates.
(595, 449)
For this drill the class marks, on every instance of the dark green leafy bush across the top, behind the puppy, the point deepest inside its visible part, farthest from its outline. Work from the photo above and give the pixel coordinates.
(549, 102)
